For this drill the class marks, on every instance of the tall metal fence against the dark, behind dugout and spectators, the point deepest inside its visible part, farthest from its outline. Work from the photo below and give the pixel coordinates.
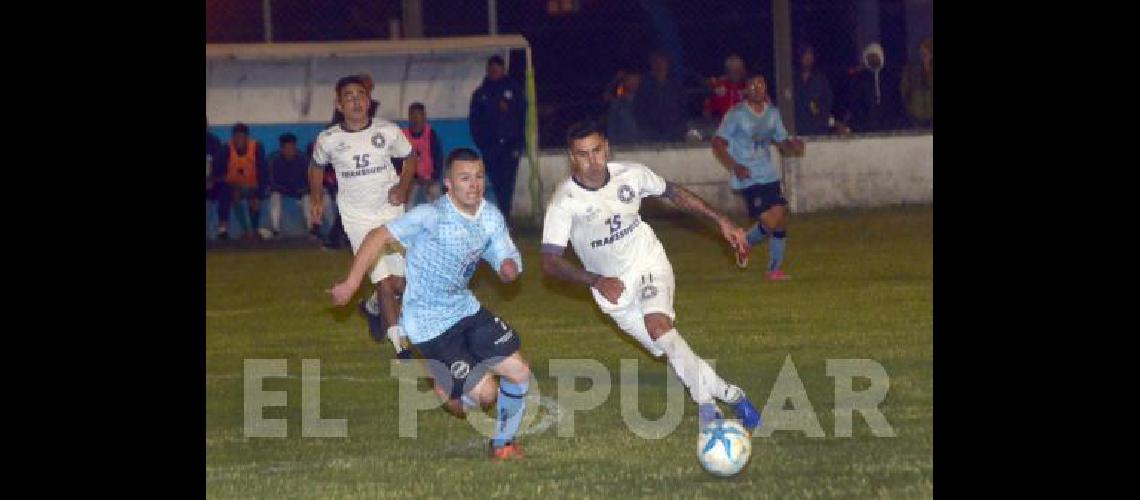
(583, 50)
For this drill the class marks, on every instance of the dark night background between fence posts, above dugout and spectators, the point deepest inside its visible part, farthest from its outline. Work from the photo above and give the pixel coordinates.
(576, 55)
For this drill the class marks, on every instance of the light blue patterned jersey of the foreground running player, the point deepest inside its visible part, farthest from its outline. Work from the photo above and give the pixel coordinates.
(444, 248)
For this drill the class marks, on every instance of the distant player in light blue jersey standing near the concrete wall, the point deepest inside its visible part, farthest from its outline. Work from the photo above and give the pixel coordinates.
(742, 145)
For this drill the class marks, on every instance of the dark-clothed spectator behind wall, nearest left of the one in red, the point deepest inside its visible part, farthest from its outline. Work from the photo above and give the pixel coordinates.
(659, 106)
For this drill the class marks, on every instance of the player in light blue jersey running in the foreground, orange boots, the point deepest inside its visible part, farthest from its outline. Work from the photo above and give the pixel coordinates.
(462, 342)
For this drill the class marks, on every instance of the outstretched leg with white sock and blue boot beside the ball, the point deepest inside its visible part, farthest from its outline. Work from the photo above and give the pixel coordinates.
(704, 383)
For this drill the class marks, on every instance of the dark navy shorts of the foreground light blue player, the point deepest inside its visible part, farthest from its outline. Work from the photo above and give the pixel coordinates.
(462, 350)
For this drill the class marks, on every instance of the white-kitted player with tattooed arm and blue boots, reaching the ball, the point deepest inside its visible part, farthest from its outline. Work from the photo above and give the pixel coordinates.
(598, 211)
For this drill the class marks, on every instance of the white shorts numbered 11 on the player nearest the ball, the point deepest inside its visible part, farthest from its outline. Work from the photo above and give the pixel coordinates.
(648, 290)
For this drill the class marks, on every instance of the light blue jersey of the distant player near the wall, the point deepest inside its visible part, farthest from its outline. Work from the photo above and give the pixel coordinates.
(750, 138)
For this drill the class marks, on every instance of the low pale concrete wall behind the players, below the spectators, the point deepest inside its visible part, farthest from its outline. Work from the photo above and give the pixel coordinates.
(836, 173)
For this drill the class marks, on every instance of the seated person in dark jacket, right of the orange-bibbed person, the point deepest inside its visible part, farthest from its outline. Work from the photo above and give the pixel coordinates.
(289, 179)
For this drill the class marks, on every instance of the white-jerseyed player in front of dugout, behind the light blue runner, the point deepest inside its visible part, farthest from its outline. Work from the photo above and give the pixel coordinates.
(361, 149)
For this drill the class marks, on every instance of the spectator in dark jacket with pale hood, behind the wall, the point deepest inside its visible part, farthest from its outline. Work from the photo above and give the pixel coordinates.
(876, 105)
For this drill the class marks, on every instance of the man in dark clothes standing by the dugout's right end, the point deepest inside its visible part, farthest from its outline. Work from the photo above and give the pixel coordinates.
(498, 121)
